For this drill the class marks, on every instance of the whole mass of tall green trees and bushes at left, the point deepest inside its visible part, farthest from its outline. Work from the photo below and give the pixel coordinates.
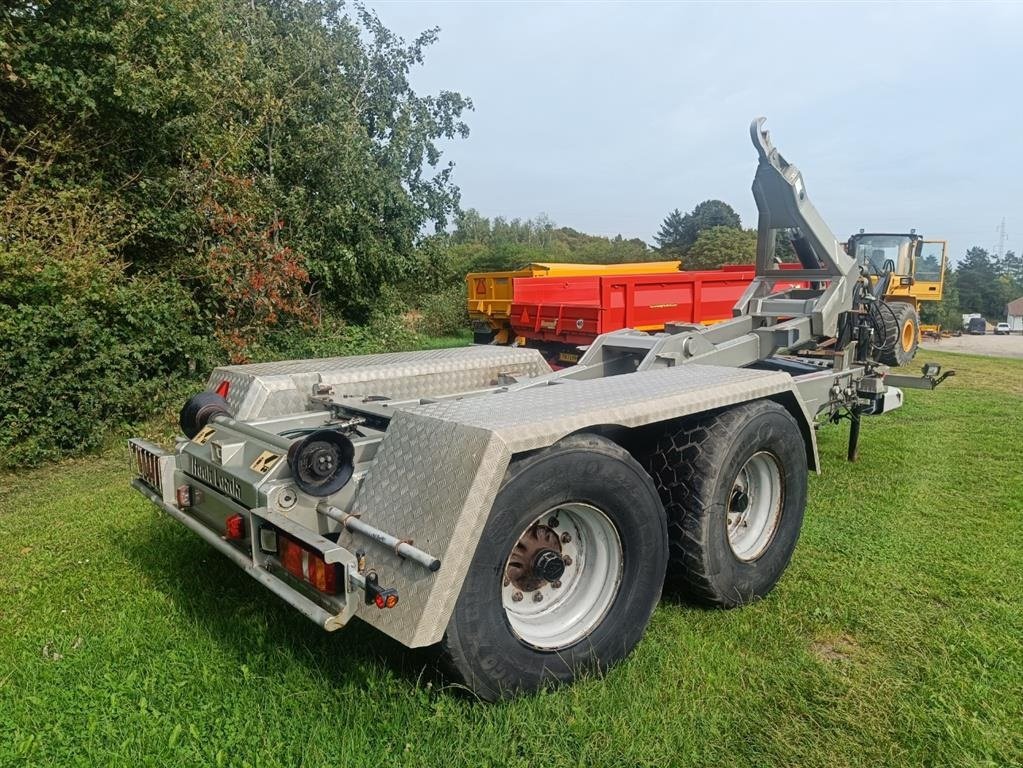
(186, 180)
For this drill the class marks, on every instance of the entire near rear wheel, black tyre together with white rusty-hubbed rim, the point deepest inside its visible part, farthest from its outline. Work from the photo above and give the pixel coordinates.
(568, 571)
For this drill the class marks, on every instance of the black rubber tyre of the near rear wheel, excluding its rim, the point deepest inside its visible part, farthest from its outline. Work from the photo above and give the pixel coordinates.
(480, 648)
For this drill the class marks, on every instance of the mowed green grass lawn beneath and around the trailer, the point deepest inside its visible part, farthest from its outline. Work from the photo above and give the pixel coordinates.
(895, 639)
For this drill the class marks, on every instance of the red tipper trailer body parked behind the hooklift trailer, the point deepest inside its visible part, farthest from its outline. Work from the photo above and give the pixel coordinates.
(576, 310)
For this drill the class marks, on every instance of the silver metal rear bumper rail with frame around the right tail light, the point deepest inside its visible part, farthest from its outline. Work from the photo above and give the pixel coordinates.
(257, 565)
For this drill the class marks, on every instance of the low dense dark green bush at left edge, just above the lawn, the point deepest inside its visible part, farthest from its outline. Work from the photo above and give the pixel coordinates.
(74, 371)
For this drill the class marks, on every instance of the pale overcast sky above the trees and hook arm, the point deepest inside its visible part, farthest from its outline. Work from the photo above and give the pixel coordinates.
(606, 117)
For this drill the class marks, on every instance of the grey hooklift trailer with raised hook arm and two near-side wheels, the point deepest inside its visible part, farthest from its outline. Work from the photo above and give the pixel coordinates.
(523, 520)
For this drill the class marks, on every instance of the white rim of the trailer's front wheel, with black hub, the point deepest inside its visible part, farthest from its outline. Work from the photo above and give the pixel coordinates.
(755, 507)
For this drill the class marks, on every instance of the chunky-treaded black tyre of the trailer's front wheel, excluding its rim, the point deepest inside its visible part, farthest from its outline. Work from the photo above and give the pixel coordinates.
(697, 468)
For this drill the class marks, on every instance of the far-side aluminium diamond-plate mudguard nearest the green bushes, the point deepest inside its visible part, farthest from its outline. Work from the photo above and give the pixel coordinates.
(268, 390)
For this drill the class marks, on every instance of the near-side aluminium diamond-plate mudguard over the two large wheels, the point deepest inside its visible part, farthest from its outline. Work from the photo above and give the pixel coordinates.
(440, 468)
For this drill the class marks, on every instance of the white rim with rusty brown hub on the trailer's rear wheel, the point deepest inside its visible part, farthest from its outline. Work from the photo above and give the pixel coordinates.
(555, 614)
